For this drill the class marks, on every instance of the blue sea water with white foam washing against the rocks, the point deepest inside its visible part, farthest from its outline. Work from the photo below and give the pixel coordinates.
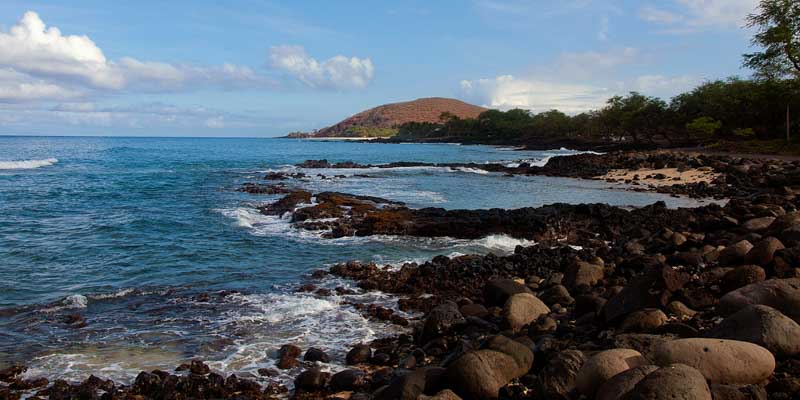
(130, 232)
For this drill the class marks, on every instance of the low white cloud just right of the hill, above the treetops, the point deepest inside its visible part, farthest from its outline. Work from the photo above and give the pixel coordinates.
(506, 92)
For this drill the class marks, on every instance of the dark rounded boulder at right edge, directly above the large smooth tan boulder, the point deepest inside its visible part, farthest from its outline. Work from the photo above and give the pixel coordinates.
(764, 326)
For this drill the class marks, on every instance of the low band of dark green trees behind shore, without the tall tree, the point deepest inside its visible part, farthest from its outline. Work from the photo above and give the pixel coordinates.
(733, 109)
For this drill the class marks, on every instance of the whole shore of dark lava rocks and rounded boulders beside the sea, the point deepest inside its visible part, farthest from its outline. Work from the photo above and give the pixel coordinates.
(649, 303)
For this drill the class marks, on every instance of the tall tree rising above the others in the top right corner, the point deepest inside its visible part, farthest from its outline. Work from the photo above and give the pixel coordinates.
(777, 25)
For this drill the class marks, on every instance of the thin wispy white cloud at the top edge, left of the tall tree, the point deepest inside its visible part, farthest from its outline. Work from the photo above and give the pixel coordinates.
(691, 15)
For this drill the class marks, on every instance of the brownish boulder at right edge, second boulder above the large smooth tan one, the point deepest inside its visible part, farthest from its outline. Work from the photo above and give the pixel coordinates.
(780, 294)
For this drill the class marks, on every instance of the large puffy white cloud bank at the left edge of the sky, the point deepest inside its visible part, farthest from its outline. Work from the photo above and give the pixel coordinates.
(48, 64)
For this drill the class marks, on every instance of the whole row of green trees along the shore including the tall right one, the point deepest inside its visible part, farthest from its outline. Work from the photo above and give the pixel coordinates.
(759, 108)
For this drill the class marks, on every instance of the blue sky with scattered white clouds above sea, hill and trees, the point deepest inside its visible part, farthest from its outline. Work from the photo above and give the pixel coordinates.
(262, 68)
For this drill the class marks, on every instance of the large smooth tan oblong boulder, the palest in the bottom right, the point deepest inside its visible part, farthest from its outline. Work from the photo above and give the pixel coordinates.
(721, 361)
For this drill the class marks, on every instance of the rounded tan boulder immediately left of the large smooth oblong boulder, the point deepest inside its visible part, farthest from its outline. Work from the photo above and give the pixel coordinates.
(604, 365)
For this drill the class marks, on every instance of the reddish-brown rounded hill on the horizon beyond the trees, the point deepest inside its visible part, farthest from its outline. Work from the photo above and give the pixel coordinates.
(391, 115)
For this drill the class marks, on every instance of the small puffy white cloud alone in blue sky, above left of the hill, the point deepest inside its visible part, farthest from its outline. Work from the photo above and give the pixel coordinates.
(338, 72)
